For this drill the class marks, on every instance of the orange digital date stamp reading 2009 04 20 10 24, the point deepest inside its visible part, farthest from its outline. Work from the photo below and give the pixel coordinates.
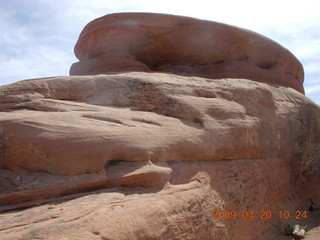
(263, 214)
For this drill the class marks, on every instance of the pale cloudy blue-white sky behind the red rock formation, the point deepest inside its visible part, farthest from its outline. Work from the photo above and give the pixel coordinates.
(37, 36)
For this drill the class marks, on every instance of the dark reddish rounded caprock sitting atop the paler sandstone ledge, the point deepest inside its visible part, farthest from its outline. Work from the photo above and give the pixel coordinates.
(184, 46)
